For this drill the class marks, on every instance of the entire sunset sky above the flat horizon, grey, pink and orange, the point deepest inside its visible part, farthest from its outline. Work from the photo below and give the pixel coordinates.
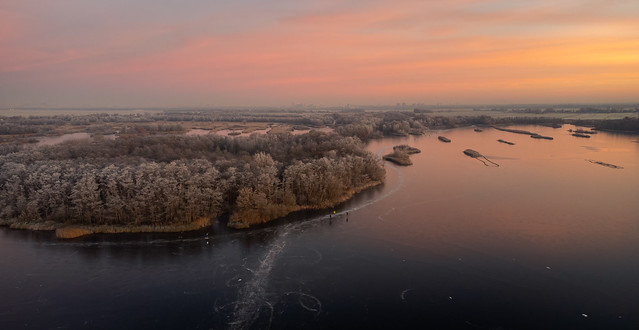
(165, 53)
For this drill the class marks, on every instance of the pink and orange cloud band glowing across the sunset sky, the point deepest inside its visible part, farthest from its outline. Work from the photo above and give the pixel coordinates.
(415, 50)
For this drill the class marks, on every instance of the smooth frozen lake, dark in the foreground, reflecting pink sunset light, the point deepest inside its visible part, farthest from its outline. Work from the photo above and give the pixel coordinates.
(547, 240)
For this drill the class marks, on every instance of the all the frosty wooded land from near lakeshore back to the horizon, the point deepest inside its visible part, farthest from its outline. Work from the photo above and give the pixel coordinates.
(154, 174)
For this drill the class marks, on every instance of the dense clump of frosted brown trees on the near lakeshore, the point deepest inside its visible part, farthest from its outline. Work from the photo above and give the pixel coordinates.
(176, 179)
